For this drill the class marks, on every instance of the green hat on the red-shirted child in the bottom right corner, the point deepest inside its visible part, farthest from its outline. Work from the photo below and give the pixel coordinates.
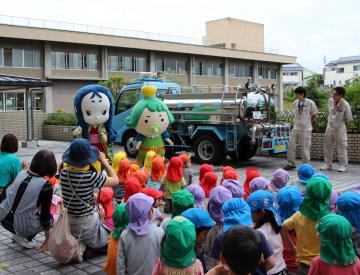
(336, 247)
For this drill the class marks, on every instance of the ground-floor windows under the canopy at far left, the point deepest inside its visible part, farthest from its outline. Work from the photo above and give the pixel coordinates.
(16, 101)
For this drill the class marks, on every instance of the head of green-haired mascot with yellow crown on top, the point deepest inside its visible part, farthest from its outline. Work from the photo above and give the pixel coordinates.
(150, 116)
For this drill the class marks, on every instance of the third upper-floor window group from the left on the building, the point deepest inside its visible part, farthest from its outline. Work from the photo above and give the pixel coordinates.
(126, 64)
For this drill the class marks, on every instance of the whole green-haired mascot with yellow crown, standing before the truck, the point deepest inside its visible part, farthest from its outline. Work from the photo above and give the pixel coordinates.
(150, 118)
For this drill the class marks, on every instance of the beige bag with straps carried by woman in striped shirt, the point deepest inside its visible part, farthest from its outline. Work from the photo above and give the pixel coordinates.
(63, 246)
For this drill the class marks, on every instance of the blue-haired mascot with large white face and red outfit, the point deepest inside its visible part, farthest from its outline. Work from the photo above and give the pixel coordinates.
(94, 109)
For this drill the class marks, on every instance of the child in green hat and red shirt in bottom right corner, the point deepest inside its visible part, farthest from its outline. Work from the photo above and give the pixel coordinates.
(337, 255)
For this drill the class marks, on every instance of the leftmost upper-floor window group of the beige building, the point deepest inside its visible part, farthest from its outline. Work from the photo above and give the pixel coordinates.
(20, 58)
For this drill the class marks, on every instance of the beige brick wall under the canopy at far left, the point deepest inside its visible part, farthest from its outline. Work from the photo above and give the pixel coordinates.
(15, 123)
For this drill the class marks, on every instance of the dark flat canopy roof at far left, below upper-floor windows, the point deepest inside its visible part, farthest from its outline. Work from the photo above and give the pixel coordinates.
(11, 82)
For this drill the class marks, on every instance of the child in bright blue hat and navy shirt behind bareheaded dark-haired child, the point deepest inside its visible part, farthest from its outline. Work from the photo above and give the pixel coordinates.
(237, 212)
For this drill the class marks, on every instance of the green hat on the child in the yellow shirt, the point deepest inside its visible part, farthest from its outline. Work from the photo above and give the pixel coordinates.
(316, 199)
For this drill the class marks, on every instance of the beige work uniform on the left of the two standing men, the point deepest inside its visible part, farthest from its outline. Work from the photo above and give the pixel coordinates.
(301, 133)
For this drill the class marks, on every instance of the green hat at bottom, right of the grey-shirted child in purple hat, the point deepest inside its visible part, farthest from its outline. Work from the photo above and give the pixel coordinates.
(178, 249)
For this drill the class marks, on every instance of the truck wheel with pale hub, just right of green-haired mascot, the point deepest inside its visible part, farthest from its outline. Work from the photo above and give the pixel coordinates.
(209, 149)
